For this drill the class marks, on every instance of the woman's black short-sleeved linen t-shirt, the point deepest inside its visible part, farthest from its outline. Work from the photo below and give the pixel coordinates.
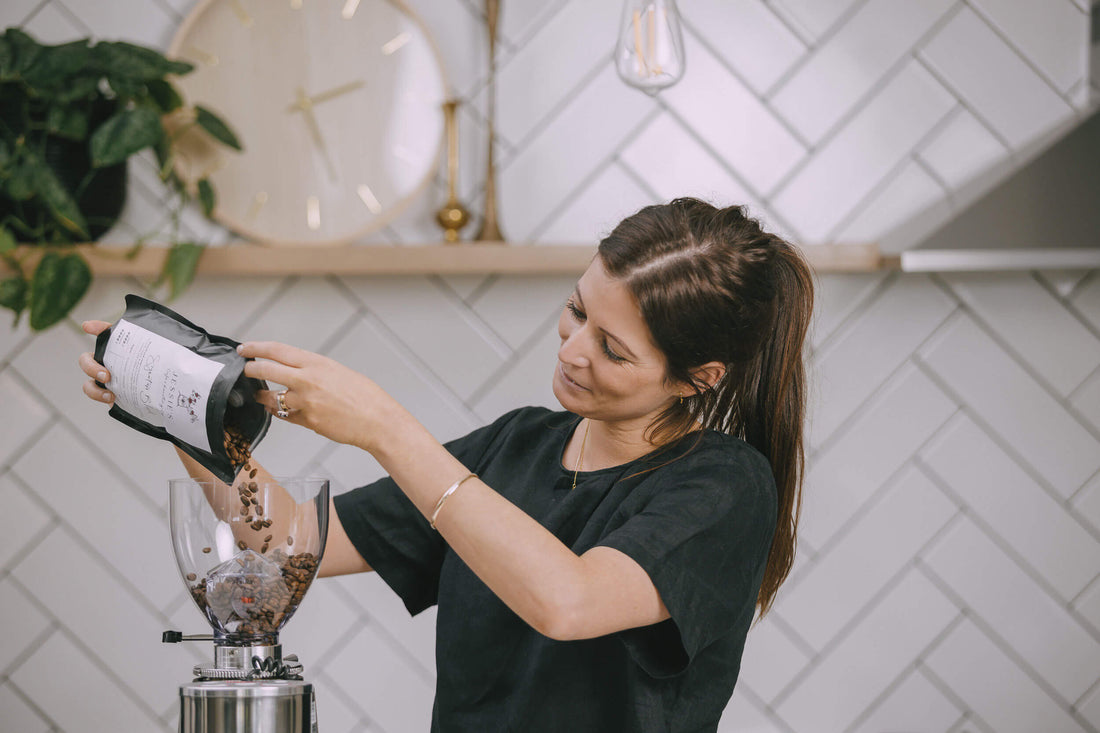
(698, 517)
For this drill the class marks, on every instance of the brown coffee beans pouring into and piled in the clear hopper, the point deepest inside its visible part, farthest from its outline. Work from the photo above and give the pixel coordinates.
(260, 603)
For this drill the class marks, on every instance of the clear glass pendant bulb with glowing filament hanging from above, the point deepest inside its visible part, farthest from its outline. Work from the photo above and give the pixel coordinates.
(650, 53)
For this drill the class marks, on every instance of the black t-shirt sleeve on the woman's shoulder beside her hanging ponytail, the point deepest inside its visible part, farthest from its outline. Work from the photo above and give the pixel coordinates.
(703, 538)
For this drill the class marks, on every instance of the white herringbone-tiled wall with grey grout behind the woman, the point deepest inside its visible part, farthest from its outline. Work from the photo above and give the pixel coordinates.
(949, 575)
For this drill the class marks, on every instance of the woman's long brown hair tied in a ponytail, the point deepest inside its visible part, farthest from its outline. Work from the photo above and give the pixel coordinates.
(712, 286)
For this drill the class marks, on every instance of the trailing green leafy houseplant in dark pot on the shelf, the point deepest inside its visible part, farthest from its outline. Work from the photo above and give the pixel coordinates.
(71, 116)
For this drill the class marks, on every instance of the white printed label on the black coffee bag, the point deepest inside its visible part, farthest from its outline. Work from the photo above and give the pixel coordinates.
(161, 382)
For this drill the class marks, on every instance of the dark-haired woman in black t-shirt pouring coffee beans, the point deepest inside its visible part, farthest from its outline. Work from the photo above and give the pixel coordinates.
(599, 568)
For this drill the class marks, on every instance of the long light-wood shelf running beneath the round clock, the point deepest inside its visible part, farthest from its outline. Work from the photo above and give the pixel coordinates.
(249, 259)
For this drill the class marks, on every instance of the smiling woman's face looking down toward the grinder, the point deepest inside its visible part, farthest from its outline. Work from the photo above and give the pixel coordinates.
(609, 367)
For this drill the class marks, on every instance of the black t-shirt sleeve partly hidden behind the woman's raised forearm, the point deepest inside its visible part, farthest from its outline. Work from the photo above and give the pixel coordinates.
(392, 535)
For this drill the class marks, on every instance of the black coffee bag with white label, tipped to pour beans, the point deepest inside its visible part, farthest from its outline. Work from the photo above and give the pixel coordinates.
(174, 381)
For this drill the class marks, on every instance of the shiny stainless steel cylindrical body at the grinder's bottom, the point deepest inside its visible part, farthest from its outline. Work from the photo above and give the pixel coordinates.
(273, 706)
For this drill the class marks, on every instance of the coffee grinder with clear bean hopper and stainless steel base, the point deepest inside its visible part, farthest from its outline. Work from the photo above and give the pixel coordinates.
(248, 554)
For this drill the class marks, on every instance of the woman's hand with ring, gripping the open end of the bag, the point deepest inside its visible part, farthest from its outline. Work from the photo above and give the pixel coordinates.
(323, 395)
